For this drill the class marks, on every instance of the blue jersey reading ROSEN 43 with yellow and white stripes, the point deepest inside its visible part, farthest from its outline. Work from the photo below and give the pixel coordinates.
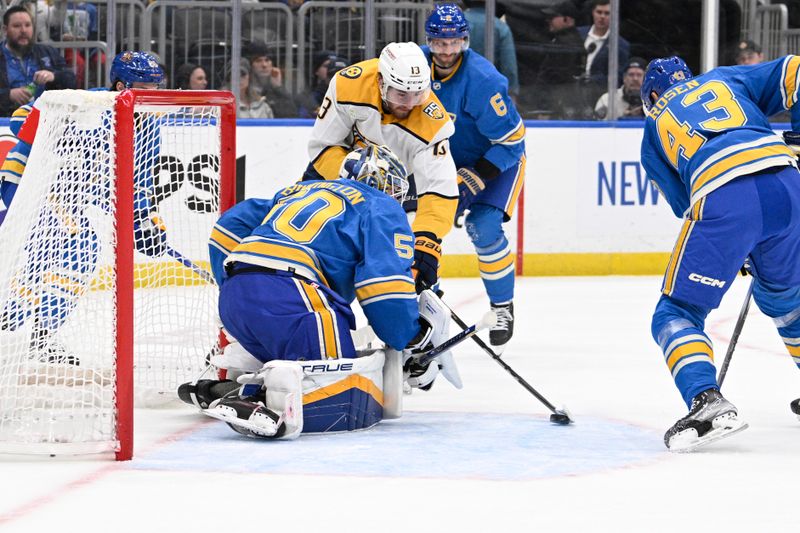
(709, 130)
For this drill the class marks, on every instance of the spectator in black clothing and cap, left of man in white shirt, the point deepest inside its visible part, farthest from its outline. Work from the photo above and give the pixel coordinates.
(556, 84)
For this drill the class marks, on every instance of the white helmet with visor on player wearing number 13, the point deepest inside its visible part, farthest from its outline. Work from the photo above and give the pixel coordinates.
(405, 74)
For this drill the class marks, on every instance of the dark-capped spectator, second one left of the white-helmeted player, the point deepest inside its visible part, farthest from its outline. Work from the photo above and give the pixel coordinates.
(267, 78)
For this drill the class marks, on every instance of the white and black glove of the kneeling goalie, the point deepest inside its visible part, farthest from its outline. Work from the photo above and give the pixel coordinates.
(434, 318)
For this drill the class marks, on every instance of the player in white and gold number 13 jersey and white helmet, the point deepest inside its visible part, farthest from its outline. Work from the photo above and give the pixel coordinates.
(388, 101)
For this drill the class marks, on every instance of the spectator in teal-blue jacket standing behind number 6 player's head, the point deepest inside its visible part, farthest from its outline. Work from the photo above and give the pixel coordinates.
(505, 55)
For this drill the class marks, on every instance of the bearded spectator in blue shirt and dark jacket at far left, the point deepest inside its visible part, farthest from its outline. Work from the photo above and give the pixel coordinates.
(27, 69)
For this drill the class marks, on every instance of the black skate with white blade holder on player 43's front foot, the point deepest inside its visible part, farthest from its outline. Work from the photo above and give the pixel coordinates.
(711, 418)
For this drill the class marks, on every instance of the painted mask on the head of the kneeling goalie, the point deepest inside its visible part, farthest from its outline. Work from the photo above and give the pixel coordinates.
(378, 167)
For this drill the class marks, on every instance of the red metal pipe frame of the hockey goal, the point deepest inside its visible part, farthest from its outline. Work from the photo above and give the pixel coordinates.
(124, 132)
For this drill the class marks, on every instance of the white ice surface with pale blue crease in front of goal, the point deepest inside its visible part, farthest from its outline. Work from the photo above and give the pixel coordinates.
(480, 459)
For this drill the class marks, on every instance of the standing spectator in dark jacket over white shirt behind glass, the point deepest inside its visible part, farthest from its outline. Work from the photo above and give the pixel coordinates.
(595, 41)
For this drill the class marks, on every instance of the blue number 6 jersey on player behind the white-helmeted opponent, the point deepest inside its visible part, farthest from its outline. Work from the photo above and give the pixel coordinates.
(487, 124)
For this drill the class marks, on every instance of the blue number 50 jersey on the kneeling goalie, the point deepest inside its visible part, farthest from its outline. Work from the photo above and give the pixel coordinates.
(342, 234)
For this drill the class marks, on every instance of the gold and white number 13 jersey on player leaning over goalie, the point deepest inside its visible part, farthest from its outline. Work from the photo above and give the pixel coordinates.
(352, 113)
